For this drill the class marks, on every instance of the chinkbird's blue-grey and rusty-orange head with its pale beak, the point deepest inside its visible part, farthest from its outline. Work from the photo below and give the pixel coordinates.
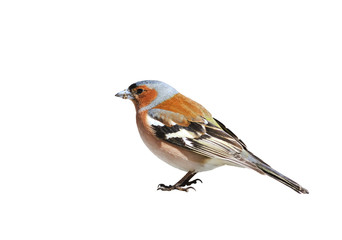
(148, 93)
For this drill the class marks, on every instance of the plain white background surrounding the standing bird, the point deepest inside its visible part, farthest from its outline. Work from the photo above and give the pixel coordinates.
(72, 164)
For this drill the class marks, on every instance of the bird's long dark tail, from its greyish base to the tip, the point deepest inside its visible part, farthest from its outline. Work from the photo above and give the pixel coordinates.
(265, 168)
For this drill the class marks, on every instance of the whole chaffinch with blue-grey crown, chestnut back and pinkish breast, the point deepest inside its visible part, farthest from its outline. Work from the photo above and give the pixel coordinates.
(185, 135)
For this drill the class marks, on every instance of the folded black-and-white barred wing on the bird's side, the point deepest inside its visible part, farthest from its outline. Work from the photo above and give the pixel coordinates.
(199, 135)
